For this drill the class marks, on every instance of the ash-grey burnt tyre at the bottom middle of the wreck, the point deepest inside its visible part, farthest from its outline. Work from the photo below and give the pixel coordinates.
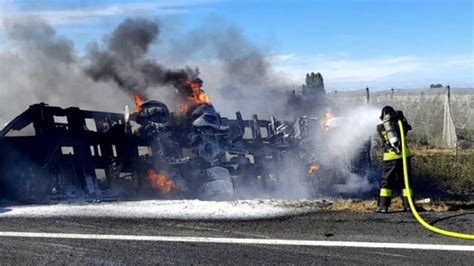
(217, 185)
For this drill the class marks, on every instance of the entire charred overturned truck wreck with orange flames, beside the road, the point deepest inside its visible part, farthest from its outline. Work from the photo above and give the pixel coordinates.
(51, 153)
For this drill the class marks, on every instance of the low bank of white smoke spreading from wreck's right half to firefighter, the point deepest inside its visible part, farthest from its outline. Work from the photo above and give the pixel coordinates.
(335, 152)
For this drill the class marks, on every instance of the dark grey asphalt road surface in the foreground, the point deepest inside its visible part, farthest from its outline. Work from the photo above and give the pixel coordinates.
(325, 226)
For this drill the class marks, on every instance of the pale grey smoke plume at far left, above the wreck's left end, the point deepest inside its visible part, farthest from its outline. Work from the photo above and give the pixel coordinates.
(37, 65)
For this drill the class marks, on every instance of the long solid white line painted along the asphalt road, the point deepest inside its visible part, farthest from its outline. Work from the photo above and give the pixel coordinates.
(249, 241)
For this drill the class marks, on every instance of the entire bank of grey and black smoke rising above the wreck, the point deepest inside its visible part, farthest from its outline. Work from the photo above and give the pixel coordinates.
(39, 65)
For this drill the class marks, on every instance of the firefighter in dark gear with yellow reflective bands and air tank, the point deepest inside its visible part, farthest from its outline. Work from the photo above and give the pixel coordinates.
(392, 167)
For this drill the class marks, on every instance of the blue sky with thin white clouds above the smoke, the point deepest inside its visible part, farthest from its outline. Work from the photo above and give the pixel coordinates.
(393, 43)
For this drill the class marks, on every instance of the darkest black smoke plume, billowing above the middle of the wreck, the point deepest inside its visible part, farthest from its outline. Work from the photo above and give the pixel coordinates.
(124, 59)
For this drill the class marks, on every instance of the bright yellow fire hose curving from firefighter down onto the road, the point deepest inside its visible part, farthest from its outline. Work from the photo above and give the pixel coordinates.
(410, 200)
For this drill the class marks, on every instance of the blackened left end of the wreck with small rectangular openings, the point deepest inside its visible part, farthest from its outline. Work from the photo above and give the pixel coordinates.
(63, 155)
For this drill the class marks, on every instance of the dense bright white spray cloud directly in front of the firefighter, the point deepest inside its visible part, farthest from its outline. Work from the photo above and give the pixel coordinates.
(342, 147)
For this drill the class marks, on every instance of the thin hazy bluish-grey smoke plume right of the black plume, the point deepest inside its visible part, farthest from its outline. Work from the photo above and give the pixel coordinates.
(239, 75)
